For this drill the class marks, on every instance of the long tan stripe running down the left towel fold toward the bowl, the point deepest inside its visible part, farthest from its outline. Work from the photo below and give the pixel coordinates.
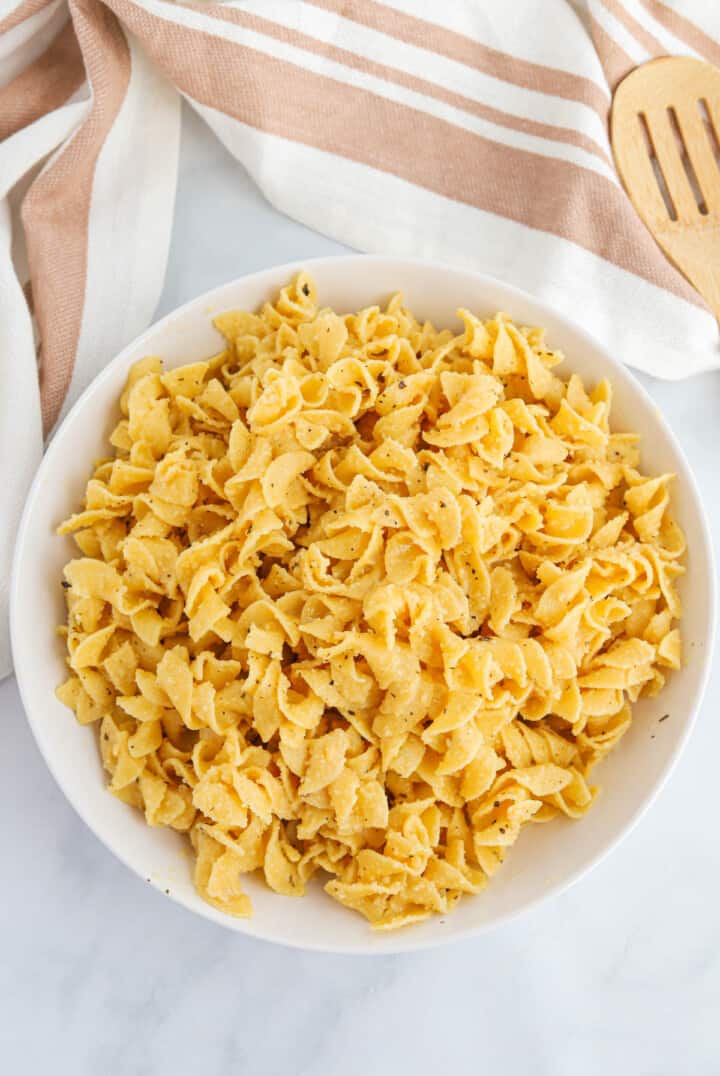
(57, 209)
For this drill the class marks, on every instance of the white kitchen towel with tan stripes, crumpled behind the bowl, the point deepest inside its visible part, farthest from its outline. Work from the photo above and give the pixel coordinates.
(474, 132)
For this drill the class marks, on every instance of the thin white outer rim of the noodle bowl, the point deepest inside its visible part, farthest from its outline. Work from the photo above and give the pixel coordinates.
(403, 941)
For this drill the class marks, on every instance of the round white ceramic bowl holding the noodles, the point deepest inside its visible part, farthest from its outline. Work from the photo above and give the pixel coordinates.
(546, 859)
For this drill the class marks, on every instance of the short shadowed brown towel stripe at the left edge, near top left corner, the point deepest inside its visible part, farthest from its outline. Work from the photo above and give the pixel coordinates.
(45, 86)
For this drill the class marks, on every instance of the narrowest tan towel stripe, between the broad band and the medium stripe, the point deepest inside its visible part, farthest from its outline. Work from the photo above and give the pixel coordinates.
(549, 132)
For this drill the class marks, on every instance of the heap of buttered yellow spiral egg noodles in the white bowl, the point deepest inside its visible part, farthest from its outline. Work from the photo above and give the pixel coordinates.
(361, 598)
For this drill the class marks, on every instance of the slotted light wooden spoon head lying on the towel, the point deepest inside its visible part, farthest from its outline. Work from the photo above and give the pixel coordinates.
(666, 132)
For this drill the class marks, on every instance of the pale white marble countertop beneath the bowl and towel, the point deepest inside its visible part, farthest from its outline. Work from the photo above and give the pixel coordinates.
(101, 973)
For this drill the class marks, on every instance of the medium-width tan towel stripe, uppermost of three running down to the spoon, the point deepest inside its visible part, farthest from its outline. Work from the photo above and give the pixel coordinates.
(475, 54)
